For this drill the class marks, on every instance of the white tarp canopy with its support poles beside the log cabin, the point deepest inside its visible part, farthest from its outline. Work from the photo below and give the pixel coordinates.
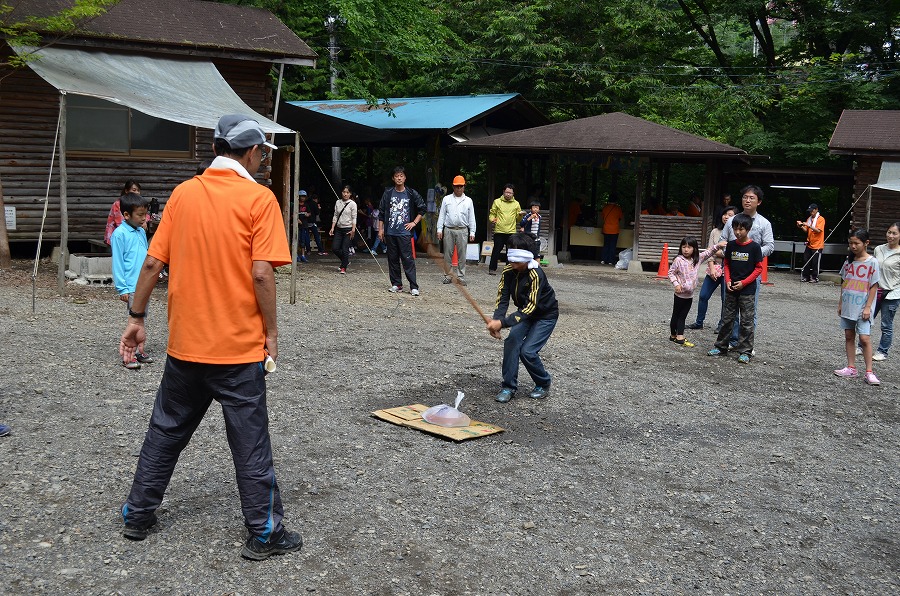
(189, 91)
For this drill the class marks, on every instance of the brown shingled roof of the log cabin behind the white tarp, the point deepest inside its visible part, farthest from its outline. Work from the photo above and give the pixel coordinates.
(185, 24)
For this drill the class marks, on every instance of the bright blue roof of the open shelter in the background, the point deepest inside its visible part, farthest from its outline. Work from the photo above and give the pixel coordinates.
(412, 113)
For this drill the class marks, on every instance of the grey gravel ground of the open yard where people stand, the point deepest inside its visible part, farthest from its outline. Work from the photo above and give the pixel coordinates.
(652, 468)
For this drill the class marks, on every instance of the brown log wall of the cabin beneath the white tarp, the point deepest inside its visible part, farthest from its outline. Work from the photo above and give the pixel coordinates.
(29, 111)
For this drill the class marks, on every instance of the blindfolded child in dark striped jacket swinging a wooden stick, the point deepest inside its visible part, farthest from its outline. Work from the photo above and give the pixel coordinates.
(530, 325)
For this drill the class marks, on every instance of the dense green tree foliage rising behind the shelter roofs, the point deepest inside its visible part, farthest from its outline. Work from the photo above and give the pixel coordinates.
(770, 76)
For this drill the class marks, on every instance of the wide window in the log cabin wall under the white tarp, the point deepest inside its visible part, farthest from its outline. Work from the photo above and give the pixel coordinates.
(98, 126)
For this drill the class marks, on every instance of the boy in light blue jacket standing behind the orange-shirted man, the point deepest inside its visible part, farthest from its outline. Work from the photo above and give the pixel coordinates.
(129, 249)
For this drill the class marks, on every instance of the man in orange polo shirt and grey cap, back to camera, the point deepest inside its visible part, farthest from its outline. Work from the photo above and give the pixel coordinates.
(221, 235)
